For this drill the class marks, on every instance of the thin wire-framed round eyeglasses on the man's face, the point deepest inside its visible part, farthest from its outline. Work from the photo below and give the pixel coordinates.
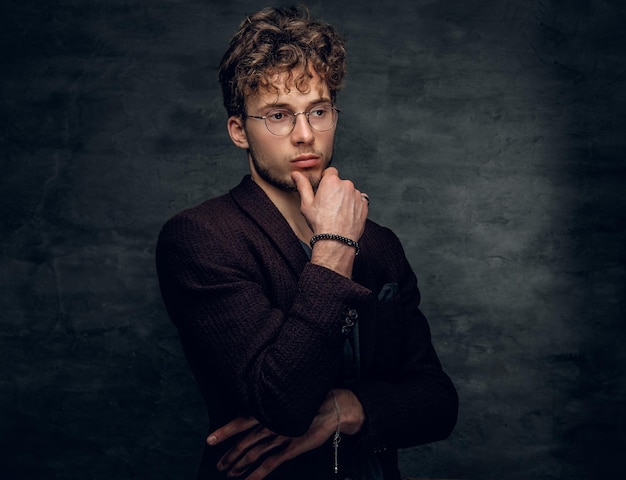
(281, 122)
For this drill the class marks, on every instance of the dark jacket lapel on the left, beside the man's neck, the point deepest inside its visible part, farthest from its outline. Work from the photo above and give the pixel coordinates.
(257, 205)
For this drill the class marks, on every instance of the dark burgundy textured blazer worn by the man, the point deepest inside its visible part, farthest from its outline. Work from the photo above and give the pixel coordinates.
(263, 330)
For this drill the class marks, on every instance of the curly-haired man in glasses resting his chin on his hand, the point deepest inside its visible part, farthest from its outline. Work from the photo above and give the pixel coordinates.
(298, 315)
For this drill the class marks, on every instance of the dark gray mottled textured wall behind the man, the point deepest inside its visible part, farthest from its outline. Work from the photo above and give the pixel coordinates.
(489, 135)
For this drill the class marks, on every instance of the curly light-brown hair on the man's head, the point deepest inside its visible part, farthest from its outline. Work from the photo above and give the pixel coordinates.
(275, 41)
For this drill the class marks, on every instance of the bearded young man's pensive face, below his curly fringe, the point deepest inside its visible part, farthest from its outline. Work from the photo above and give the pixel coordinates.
(273, 158)
